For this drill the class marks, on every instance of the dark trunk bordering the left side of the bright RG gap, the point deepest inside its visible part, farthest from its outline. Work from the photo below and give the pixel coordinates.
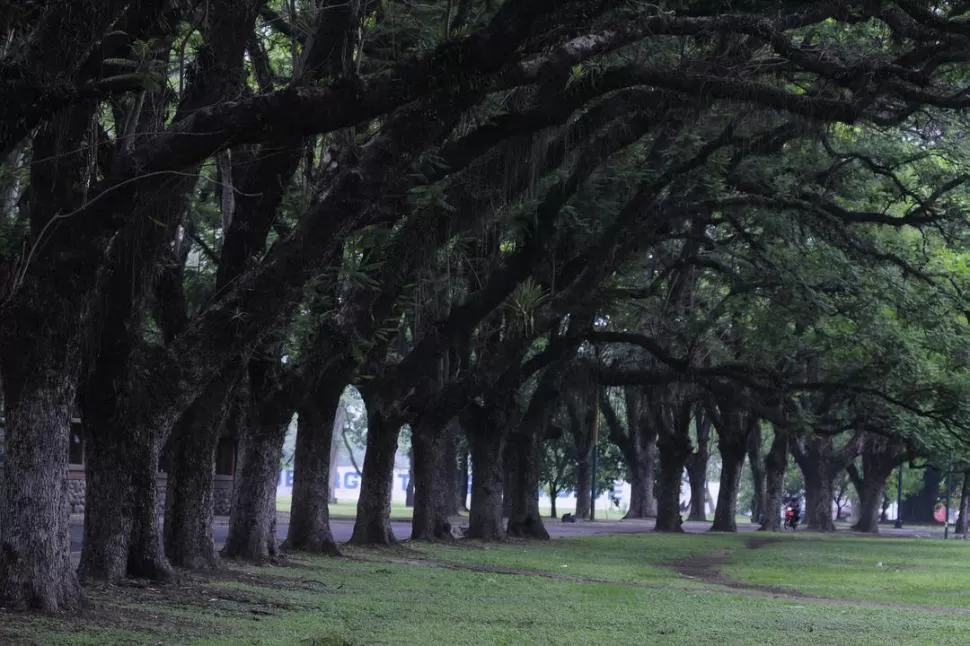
(318, 416)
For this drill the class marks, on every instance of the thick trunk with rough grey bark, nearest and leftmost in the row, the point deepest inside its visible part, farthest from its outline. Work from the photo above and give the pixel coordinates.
(35, 543)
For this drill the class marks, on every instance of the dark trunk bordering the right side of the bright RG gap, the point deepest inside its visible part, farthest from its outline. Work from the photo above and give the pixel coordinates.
(373, 525)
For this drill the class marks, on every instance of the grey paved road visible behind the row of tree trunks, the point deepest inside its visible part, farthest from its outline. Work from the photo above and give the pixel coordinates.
(343, 528)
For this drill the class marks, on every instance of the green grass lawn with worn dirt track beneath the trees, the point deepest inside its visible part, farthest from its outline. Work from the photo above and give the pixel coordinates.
(627, 589)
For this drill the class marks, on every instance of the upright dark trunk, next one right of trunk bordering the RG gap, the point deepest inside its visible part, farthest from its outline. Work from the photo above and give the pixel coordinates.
(432, 487)
